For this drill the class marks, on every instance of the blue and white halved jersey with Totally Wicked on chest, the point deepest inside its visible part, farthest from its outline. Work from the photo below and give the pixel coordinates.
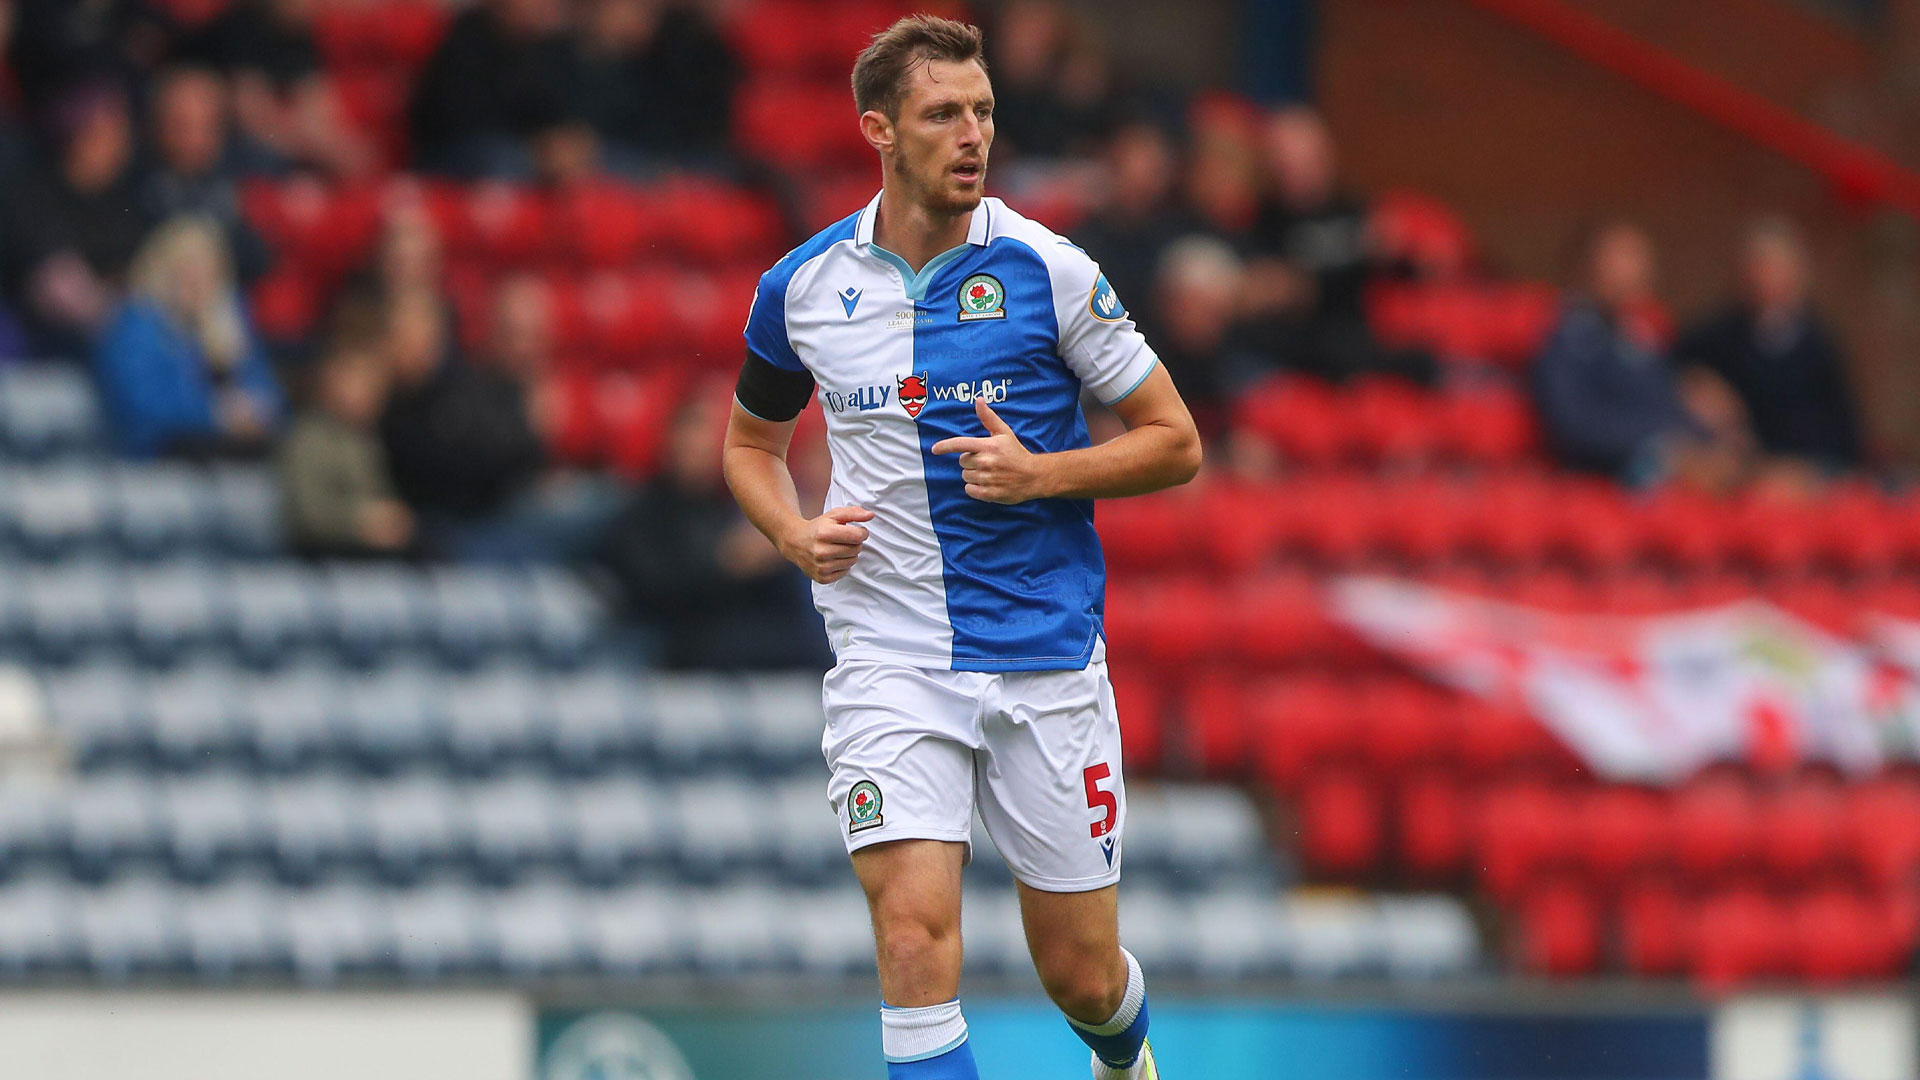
(1017, 316)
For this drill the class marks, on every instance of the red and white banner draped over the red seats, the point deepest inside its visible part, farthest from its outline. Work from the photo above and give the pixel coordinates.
(1654, 699)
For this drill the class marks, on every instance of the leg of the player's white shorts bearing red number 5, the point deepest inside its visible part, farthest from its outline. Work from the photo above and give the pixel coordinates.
(1051, 787)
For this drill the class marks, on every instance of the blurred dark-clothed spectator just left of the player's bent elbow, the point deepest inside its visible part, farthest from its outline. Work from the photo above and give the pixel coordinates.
(694, 570)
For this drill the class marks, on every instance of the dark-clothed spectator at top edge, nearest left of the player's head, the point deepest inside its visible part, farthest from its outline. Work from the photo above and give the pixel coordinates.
(650, 80)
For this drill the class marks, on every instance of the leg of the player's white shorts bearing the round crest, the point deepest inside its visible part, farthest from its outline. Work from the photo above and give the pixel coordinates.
(900, 754)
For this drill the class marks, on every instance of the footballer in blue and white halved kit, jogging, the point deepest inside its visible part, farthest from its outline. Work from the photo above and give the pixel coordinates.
(959, 572)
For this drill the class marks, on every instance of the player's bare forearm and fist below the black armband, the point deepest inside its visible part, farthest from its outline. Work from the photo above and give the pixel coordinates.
(756, 464)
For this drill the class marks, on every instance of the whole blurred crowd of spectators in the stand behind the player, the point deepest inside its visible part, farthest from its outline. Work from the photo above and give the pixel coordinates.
(126, 135)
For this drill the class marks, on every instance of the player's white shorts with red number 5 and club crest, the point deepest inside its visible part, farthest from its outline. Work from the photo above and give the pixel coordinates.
(1038, 752)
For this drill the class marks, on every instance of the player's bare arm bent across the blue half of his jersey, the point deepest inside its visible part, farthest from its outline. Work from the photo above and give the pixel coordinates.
(1159, 451)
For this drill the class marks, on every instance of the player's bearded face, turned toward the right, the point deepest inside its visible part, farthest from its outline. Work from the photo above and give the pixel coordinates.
(942, 139)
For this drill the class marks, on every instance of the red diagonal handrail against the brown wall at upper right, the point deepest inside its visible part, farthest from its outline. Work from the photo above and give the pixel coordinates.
(1858, 174)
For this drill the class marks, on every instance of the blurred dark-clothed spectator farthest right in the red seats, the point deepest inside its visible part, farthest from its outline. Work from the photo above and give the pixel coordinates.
(1777, 356)
